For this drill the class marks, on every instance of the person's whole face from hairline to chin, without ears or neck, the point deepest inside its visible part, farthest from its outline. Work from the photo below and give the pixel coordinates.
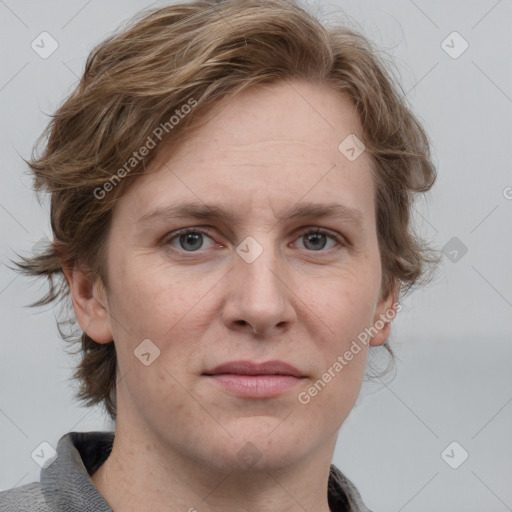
(252, 286)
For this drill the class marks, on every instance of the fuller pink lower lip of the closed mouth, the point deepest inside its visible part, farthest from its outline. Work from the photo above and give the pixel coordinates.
(256, 386)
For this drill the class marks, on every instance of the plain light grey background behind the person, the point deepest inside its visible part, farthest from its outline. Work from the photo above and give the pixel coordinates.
(453, 339)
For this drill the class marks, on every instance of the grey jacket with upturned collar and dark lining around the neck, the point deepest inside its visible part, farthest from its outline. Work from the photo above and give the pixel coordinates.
(66, 485)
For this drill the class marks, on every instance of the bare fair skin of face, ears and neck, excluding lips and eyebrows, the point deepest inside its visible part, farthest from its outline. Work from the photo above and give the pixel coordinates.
(178, 434)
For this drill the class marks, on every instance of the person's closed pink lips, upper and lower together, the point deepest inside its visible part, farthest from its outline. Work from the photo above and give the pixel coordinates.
(255, 380)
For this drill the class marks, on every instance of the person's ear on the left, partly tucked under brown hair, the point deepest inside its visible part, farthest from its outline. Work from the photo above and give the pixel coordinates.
(90, 304)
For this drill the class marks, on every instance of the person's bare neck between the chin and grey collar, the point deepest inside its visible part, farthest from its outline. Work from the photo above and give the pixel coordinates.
(141, 476)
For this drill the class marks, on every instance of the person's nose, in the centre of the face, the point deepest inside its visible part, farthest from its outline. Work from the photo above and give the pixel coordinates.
(259, 298)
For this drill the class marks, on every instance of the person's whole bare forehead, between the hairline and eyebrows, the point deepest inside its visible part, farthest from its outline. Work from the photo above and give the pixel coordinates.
(263, 152)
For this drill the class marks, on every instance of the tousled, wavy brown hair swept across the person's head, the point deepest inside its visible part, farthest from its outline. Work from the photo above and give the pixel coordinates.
(200, 54)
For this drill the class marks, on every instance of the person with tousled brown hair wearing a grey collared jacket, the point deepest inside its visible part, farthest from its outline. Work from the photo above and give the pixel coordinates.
(283, 154)
